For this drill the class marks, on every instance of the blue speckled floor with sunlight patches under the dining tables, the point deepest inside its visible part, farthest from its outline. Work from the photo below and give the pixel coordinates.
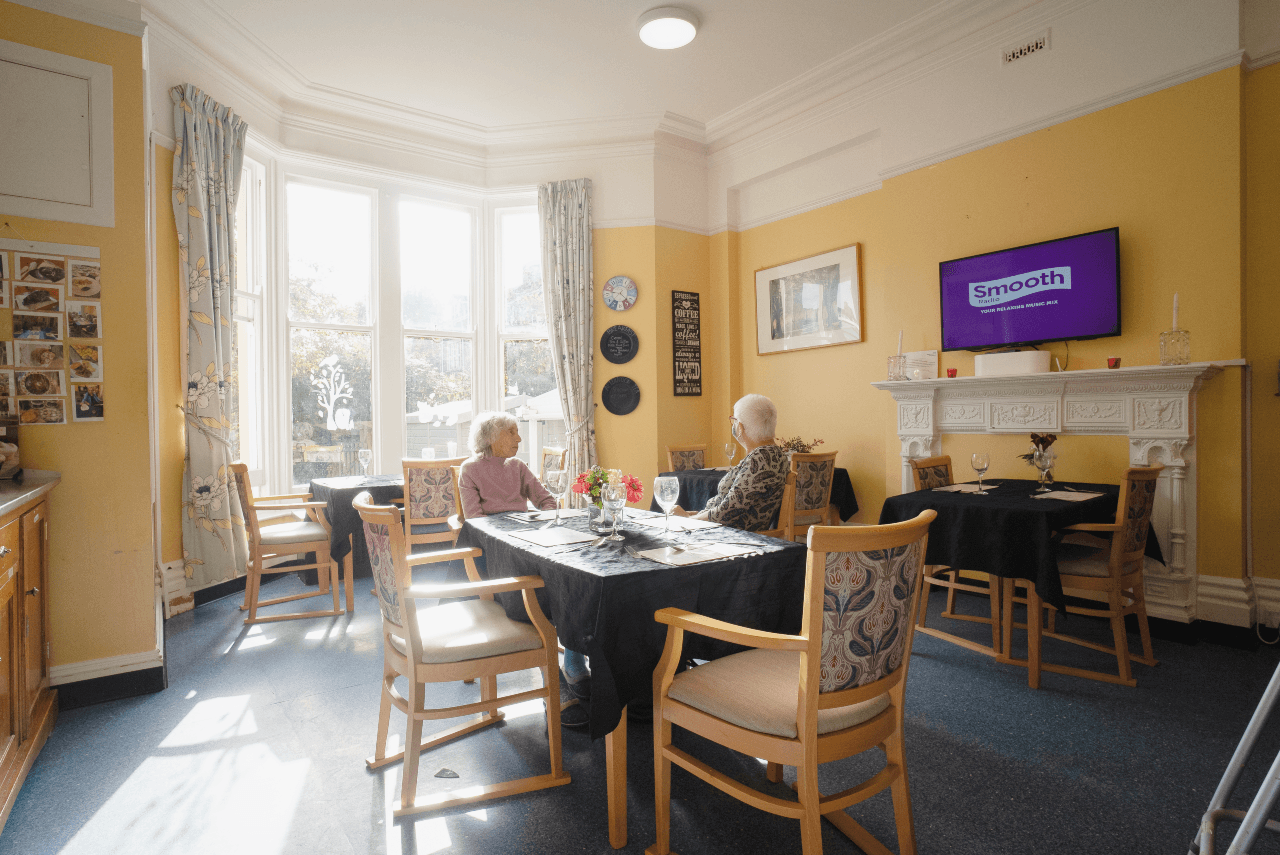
(258, 748)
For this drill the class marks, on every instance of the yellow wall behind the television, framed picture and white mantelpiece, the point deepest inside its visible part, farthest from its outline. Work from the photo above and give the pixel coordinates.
(1164, 168)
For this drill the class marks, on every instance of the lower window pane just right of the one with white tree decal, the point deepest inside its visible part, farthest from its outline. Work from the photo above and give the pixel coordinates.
(437, 396)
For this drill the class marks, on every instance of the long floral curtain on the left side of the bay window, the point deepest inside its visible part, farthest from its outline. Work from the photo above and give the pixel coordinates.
(207, 170)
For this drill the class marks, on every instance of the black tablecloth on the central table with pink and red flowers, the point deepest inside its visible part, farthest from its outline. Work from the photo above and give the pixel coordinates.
(602, 601)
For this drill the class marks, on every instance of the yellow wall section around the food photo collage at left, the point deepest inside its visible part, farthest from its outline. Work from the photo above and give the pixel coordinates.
(102, 580)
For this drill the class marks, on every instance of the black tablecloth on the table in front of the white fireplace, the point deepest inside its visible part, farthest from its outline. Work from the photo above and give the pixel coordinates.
(1007, 533)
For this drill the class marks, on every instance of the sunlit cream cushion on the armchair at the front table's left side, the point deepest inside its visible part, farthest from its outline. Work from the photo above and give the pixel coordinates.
(469, 630)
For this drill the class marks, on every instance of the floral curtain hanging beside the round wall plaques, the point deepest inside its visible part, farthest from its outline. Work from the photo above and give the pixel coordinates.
(565, 209)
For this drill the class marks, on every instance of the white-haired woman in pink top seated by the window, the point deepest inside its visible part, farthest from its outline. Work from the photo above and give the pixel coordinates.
(495, 481)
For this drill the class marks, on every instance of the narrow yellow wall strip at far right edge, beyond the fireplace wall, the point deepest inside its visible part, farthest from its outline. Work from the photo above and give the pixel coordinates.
(1263, 304)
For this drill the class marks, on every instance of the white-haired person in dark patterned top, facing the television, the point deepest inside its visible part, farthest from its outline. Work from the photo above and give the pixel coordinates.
(751, 495)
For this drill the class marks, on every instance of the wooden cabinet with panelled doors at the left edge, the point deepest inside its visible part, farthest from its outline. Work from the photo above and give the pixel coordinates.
(28, 705)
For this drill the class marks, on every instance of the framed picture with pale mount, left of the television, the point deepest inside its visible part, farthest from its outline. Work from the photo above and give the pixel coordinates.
(812, 303)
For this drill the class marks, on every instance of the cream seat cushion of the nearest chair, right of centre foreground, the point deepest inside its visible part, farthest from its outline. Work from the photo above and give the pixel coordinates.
(760, 691)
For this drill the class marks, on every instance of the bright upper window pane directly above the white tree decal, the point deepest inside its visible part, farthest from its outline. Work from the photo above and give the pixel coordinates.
(331, 255)
